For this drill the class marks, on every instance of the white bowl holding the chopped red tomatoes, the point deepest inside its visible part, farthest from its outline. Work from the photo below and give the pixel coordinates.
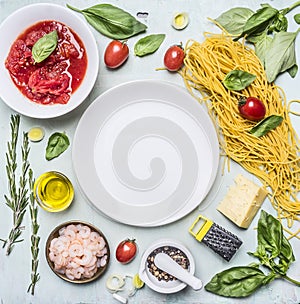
(19, 21)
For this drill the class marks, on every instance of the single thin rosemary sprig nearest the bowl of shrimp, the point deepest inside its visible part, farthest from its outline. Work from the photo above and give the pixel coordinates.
(35, 239)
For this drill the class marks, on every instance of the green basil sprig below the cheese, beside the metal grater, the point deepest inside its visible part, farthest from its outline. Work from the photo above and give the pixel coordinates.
(273, 251)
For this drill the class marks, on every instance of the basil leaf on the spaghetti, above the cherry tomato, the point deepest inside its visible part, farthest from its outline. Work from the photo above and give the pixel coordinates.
(238, 80)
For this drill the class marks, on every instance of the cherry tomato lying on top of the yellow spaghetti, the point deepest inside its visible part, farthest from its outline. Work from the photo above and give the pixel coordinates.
(252, 108)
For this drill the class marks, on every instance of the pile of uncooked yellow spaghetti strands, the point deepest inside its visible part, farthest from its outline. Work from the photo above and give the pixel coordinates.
(274, 157)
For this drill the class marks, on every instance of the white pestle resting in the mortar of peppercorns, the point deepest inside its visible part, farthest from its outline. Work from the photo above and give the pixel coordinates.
(167, 264)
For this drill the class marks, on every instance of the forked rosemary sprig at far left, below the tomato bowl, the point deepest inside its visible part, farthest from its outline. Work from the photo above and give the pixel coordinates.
(17, 200)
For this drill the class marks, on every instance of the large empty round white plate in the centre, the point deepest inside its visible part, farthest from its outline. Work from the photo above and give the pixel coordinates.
(145, 153)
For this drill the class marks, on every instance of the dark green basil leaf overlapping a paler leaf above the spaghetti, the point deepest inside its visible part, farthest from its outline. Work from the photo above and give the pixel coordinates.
(259, 21)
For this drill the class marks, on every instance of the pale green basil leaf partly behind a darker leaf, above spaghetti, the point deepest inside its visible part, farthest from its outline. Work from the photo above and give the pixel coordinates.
(233, 20)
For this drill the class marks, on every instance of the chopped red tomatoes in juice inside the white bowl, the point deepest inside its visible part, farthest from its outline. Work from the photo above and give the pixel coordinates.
(53, 80)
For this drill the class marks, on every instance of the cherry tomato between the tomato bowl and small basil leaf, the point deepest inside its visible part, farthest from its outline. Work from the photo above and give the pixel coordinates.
(115, 54)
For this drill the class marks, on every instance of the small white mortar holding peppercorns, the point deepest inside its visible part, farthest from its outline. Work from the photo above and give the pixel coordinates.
(163, 286)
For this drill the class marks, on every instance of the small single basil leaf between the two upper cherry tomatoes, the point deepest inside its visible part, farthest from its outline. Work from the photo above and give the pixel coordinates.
(148, 44)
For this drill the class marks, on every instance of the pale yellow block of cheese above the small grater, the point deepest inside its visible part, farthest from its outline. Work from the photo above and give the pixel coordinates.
(242, 201)
